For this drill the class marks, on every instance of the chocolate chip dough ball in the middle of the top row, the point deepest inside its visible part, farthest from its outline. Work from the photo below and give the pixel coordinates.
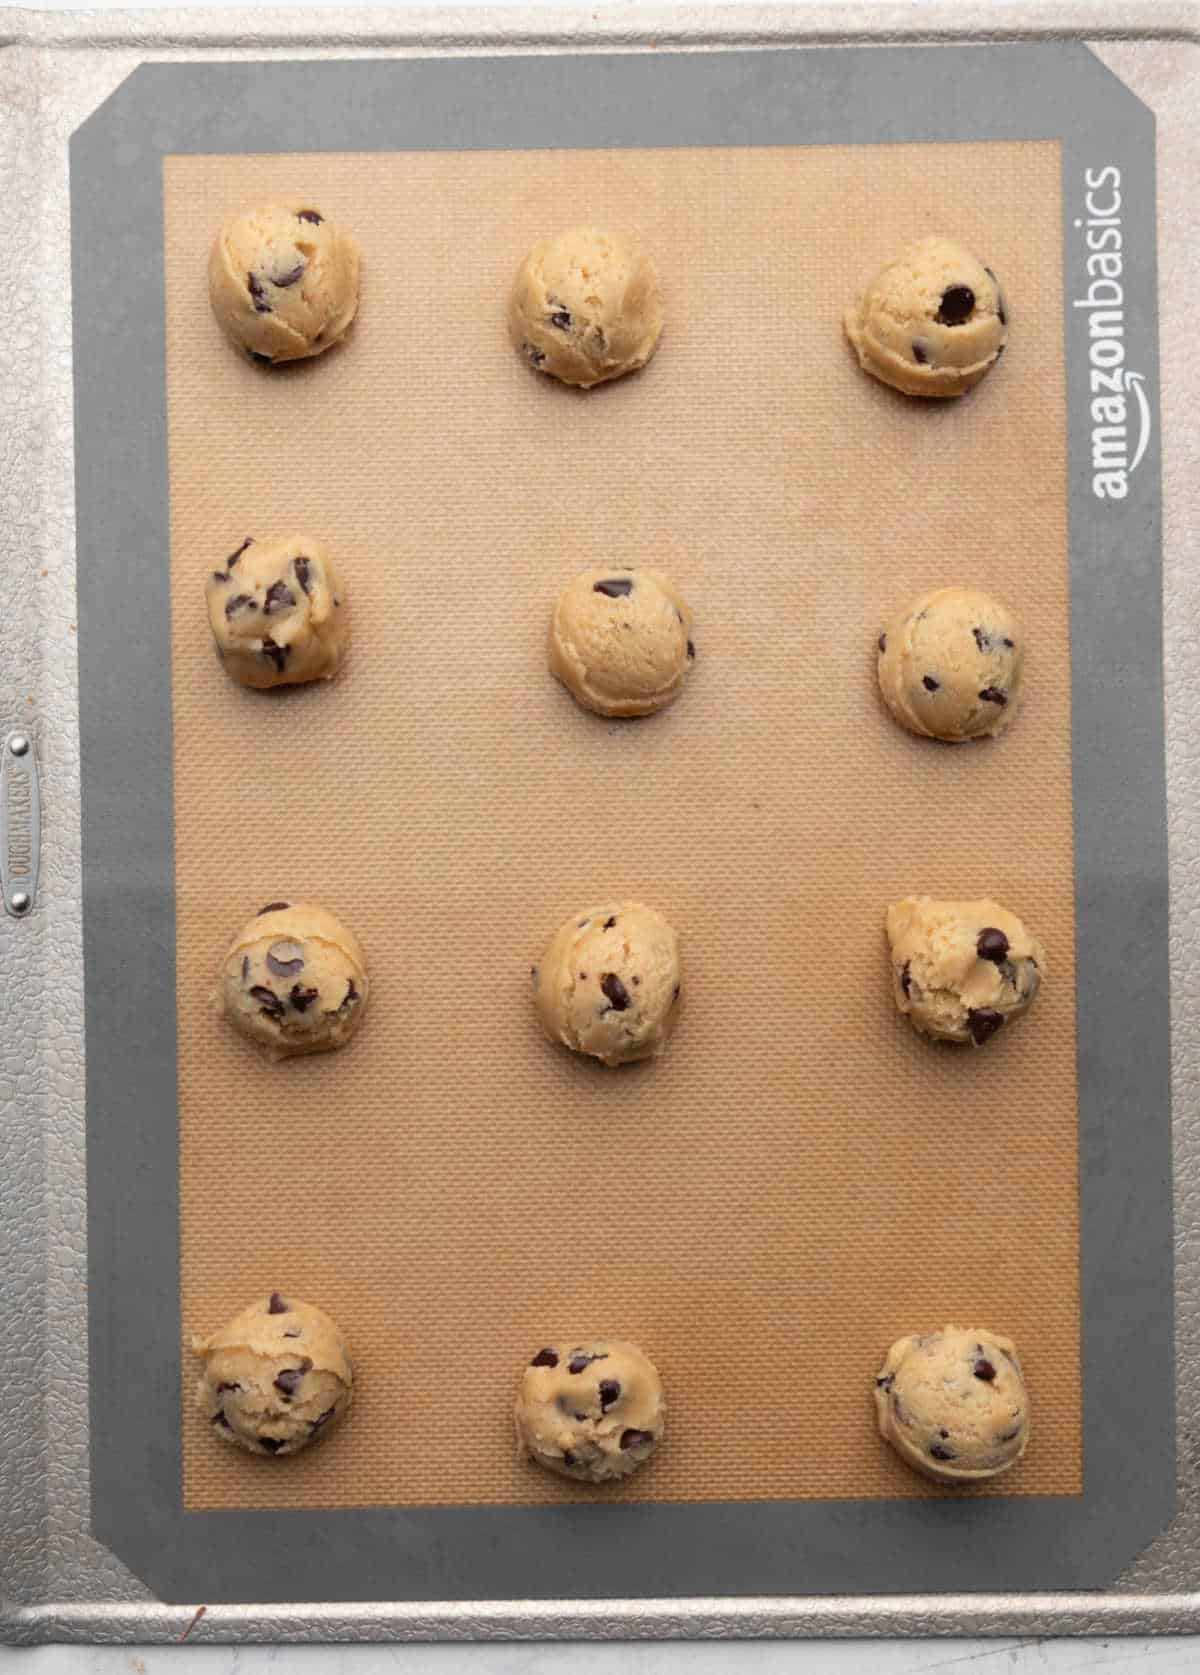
(586, 306)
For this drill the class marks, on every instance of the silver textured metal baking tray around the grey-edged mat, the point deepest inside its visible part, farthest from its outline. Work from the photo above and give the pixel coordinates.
(59, 1582)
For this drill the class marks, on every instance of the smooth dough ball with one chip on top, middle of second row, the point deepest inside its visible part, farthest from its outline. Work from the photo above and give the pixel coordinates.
(621, 641)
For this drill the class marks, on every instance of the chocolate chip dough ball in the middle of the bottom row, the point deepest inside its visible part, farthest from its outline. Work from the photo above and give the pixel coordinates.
(591, 1411)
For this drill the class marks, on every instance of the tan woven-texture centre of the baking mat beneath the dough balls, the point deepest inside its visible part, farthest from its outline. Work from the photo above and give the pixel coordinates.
(802, 1178)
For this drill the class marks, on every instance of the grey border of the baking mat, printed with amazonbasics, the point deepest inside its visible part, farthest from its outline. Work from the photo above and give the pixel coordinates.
(752, 98)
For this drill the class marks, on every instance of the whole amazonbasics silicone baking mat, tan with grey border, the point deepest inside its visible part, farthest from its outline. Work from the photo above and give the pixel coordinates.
(800, 1178)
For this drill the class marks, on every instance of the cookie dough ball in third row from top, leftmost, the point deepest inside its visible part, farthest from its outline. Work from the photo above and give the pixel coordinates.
(294, 981)
